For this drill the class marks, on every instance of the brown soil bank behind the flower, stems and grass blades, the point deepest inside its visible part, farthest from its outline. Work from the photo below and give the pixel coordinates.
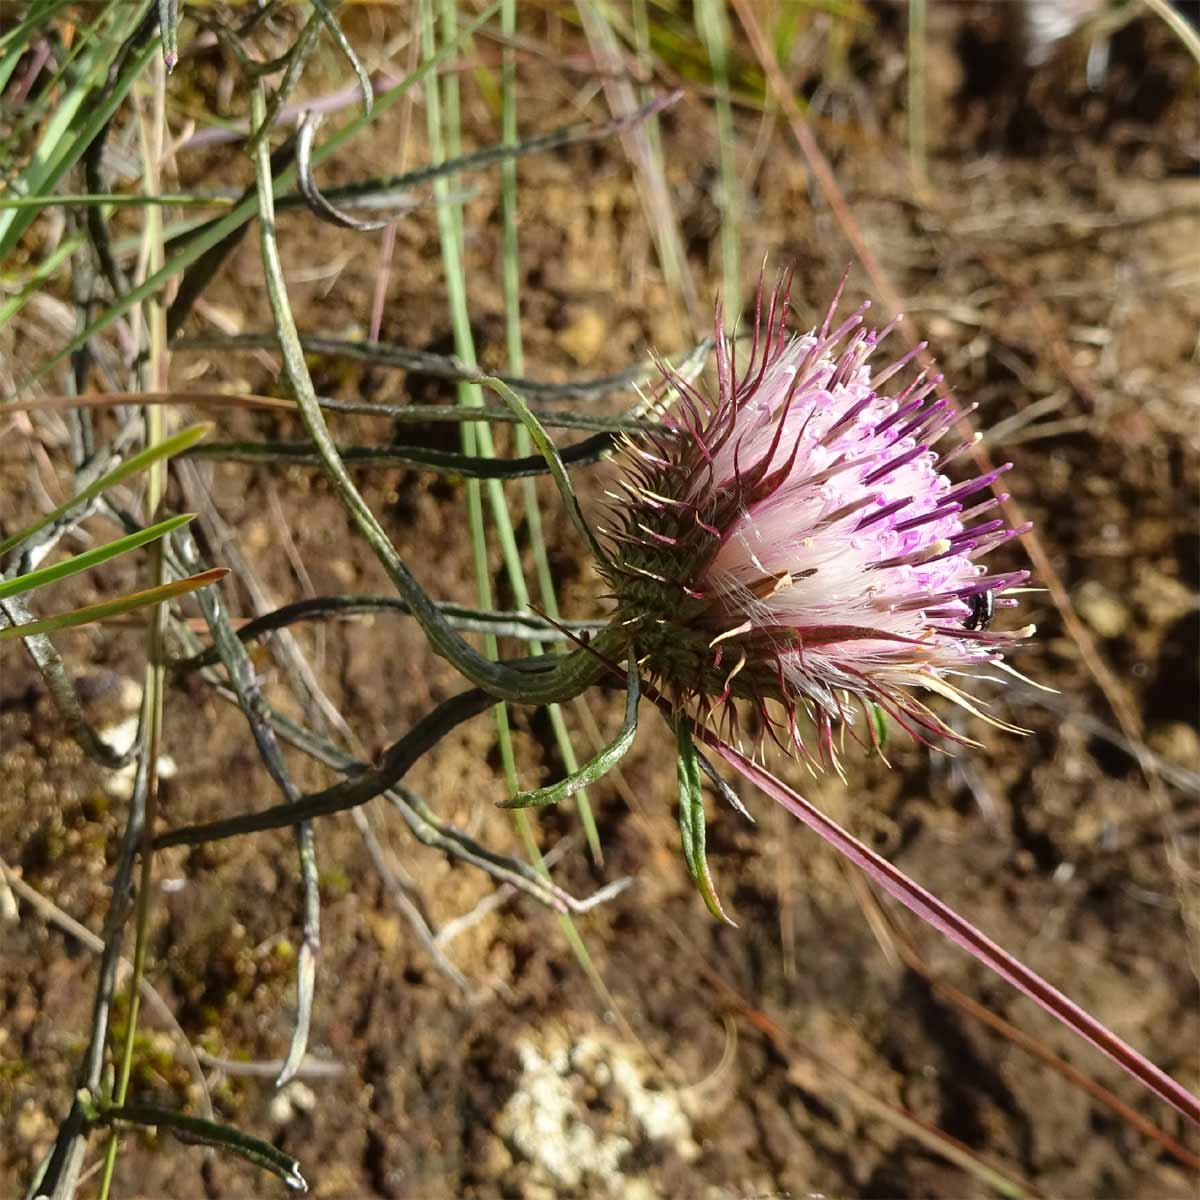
(1053, 266)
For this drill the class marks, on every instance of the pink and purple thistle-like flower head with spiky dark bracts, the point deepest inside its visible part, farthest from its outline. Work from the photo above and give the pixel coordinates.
(795, 542)
